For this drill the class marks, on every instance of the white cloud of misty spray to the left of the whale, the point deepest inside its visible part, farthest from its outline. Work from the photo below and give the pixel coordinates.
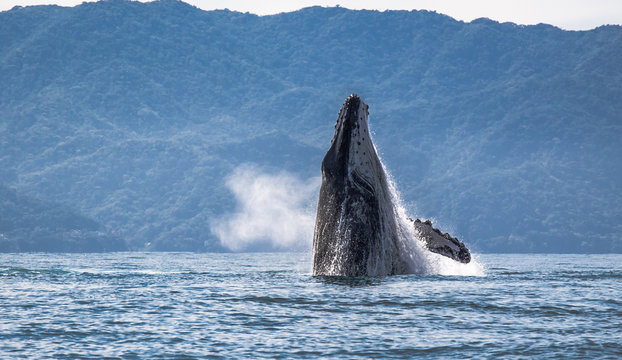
(275, 211)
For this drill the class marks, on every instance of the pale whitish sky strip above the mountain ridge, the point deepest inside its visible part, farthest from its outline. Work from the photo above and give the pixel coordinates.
(567, 14)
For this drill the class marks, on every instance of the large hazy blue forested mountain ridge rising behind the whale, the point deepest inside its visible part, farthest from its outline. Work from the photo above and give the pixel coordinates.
(133, 114)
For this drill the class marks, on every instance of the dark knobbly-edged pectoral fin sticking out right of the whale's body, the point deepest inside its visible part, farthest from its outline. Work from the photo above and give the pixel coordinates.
(440, 243)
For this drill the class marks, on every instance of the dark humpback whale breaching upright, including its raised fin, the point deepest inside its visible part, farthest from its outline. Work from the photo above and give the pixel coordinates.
(358, 228)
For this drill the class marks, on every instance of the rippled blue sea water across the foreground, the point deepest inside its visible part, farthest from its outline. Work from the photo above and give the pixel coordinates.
(182, 305)
